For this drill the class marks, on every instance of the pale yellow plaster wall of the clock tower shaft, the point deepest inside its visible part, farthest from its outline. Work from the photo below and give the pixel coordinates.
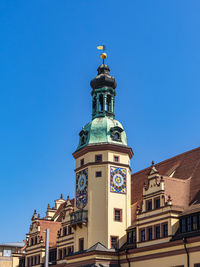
(101, 202)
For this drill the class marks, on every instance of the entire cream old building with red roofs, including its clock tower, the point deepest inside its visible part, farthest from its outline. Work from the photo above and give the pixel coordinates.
(116, 218)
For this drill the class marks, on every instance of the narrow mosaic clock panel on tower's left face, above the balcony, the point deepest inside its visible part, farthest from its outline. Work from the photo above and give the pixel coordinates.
(81, 189)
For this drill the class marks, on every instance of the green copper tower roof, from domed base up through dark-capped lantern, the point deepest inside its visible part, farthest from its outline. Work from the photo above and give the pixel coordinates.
(103, 129)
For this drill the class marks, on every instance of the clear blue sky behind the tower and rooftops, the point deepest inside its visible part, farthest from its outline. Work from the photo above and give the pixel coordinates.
(48, 57)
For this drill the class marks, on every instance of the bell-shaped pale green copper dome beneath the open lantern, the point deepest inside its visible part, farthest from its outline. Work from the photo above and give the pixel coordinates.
(102, 131)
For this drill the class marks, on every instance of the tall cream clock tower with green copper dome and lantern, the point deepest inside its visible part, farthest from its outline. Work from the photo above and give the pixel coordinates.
(102, 176)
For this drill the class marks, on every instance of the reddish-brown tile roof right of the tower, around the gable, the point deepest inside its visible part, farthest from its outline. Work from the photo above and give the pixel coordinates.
(186, 166)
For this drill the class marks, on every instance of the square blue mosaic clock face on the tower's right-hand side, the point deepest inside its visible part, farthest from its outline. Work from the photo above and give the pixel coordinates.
(118, 180)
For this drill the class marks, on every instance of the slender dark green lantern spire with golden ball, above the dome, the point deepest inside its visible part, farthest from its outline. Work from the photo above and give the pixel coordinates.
(103, 93)
